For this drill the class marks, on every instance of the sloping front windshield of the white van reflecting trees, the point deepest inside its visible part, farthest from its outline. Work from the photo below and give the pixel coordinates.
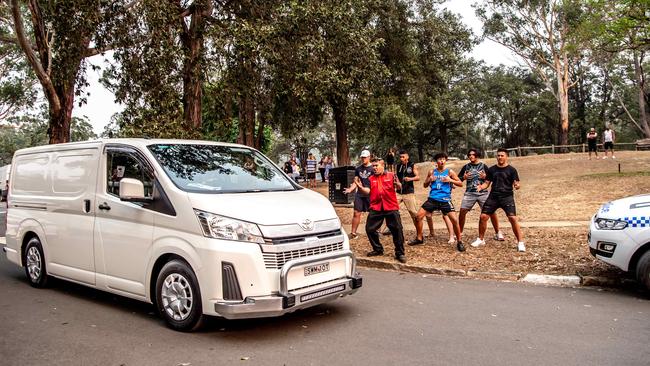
(219, 169)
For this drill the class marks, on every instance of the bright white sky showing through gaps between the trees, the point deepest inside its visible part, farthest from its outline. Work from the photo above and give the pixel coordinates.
(101, 106)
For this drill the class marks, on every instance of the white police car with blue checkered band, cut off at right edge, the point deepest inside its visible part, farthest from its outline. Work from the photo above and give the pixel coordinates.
(619, 234)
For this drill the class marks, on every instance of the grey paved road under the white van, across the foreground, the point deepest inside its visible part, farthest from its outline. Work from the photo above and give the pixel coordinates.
(396, 319)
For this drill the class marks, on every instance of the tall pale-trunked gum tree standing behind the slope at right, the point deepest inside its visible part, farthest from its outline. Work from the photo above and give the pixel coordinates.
(539, 32)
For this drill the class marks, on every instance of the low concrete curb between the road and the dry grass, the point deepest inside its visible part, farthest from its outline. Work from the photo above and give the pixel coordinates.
(531, 278)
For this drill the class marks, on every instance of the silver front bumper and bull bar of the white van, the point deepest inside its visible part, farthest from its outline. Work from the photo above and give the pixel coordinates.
(287, 302)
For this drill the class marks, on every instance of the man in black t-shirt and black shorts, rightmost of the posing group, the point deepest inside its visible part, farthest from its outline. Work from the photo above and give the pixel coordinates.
(503, 178)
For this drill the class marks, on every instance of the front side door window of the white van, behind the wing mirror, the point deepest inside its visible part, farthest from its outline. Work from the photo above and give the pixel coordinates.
(122, 164)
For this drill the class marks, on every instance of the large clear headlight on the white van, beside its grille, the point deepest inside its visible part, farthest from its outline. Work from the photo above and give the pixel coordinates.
(221, 227)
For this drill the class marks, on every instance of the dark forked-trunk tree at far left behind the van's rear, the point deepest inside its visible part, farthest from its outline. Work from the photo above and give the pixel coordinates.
(57, 38)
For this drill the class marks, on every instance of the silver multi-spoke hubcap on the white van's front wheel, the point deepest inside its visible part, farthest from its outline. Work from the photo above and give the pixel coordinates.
(177, 297)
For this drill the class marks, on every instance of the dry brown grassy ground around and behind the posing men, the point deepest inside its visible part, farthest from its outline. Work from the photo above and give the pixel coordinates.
(560, 187)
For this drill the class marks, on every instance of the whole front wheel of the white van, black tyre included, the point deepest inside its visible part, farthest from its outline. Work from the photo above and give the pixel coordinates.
(178, 297)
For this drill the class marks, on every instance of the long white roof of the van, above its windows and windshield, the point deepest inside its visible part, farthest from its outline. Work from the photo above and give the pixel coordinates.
(136, 142)
